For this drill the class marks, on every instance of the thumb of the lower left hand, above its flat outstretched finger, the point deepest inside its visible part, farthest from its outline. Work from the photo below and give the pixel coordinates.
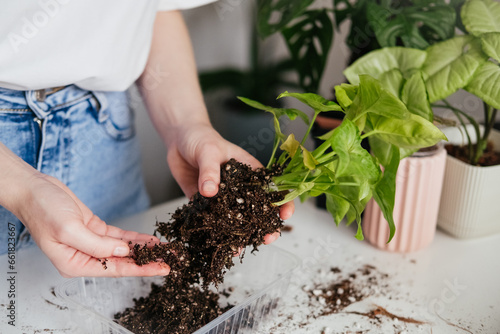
(80, 237)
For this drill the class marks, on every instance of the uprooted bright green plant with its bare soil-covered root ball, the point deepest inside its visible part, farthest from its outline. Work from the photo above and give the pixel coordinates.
(204, 234)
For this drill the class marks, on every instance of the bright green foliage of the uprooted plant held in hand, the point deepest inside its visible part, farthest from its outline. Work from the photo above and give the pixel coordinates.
(340, 168)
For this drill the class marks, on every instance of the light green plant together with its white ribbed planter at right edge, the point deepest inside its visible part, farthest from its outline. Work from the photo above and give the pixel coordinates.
(469, 62)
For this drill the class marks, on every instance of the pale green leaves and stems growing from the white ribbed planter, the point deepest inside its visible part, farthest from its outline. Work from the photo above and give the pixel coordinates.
(469, 62)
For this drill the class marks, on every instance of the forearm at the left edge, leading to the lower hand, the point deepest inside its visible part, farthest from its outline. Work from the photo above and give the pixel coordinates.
(15, 176)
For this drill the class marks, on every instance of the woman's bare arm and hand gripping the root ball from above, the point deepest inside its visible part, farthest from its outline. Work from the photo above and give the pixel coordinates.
(178, 112)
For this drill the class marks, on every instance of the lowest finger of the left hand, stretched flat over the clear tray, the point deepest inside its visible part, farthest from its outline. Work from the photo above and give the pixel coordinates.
(115, 267)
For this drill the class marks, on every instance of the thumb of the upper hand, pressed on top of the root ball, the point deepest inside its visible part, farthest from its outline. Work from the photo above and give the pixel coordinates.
(209, 166)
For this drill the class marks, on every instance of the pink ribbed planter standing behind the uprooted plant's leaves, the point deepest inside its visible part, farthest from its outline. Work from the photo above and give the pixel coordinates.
(418, 190)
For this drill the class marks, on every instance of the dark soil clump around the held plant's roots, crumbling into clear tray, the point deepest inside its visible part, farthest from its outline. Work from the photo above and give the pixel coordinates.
(202, 238)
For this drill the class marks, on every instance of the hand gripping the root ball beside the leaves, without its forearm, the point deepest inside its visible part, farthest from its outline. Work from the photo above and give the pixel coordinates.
(195, 157)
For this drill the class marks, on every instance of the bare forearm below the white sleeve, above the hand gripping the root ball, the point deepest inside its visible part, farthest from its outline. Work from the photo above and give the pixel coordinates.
(169, 85)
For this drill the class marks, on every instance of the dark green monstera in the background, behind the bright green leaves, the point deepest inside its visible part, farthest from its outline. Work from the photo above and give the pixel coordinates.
(308, 30)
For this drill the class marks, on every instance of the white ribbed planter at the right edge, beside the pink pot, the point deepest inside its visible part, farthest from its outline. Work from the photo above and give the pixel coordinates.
(470, 203)
